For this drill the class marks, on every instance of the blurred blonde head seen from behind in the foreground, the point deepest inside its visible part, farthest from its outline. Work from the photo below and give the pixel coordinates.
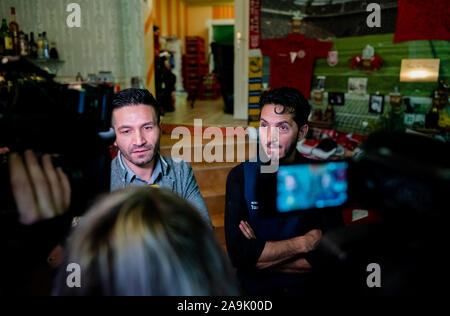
(145, 241)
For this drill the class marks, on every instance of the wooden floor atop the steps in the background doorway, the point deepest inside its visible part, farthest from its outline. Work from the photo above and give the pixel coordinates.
(210, 111)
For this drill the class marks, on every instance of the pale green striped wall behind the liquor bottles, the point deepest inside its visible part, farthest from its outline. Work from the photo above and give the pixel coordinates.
(116, 44)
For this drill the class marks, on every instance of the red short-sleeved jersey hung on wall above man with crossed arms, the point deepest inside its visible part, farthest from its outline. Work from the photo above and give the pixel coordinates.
(292, 60)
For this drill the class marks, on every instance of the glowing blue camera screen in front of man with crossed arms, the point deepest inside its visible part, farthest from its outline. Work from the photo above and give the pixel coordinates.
(312, 186)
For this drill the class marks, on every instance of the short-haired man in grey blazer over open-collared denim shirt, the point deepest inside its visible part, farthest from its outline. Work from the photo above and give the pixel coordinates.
(137, 125)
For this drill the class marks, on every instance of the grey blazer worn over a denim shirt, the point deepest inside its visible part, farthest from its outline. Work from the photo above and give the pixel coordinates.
(178, 177)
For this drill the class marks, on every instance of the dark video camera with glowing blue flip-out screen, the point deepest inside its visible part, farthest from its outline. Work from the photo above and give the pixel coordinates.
(395, 174)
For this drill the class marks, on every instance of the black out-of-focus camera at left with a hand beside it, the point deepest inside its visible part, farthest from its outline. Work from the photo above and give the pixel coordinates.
(40, 114)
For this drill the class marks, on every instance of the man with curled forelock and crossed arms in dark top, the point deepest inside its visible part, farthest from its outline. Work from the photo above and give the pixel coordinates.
(270, 250)
